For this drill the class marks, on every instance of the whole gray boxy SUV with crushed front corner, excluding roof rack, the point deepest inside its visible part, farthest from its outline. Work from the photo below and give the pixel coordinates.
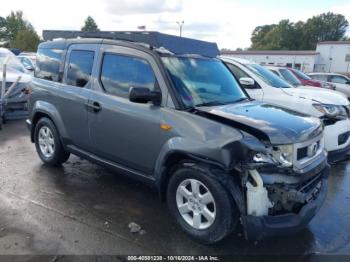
(182, 124)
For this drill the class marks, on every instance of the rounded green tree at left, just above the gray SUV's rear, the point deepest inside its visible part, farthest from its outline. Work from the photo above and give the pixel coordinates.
(26, 40)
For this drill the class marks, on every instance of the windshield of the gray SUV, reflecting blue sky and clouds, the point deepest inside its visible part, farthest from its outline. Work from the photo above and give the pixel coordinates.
(202, 81)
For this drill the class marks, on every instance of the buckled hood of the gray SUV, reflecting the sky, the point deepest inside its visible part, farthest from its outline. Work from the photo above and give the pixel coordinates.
(266, 122)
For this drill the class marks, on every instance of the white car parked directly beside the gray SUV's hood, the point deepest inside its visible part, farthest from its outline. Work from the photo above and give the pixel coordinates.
(330, 106)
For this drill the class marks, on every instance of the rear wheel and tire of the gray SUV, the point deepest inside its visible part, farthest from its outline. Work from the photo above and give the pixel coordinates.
(48, 144)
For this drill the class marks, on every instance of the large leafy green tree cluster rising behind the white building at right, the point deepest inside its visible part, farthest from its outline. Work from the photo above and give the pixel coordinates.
(299, 36)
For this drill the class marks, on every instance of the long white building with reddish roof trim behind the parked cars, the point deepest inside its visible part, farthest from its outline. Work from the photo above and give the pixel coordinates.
(330, 56)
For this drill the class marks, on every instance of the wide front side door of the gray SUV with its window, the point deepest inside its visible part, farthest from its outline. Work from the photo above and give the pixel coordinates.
(124, 132)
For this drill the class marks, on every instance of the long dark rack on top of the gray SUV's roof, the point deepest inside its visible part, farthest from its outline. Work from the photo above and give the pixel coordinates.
(175, 44)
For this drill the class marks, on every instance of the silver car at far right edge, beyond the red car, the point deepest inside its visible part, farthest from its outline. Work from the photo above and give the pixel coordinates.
(341, 82)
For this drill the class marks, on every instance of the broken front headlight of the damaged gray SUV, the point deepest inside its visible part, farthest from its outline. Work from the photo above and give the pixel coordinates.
(281, 155)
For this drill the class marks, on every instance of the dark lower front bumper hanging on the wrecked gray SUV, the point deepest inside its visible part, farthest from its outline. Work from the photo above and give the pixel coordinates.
(259, 227)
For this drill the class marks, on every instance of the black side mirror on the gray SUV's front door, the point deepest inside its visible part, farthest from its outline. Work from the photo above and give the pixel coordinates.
(143, 95)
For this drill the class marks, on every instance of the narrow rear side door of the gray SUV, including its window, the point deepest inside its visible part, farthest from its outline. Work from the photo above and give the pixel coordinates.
(76, 86)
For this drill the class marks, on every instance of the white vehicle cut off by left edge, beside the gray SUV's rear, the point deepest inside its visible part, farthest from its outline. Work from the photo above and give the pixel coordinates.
(16, 86)
